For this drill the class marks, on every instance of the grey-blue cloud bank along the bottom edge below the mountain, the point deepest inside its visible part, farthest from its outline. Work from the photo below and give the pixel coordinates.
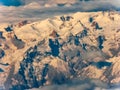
(82, 85)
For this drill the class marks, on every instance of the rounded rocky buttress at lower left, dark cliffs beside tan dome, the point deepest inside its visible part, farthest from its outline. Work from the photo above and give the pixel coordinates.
(40, 68)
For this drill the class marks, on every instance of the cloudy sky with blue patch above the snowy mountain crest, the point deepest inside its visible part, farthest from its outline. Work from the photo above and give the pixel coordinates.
(17, 10)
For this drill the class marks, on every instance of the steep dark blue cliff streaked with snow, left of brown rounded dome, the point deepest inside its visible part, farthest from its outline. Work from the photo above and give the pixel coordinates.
(31, 79)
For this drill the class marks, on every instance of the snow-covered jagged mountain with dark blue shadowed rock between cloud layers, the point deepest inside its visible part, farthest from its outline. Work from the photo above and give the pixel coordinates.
(83, 45)
